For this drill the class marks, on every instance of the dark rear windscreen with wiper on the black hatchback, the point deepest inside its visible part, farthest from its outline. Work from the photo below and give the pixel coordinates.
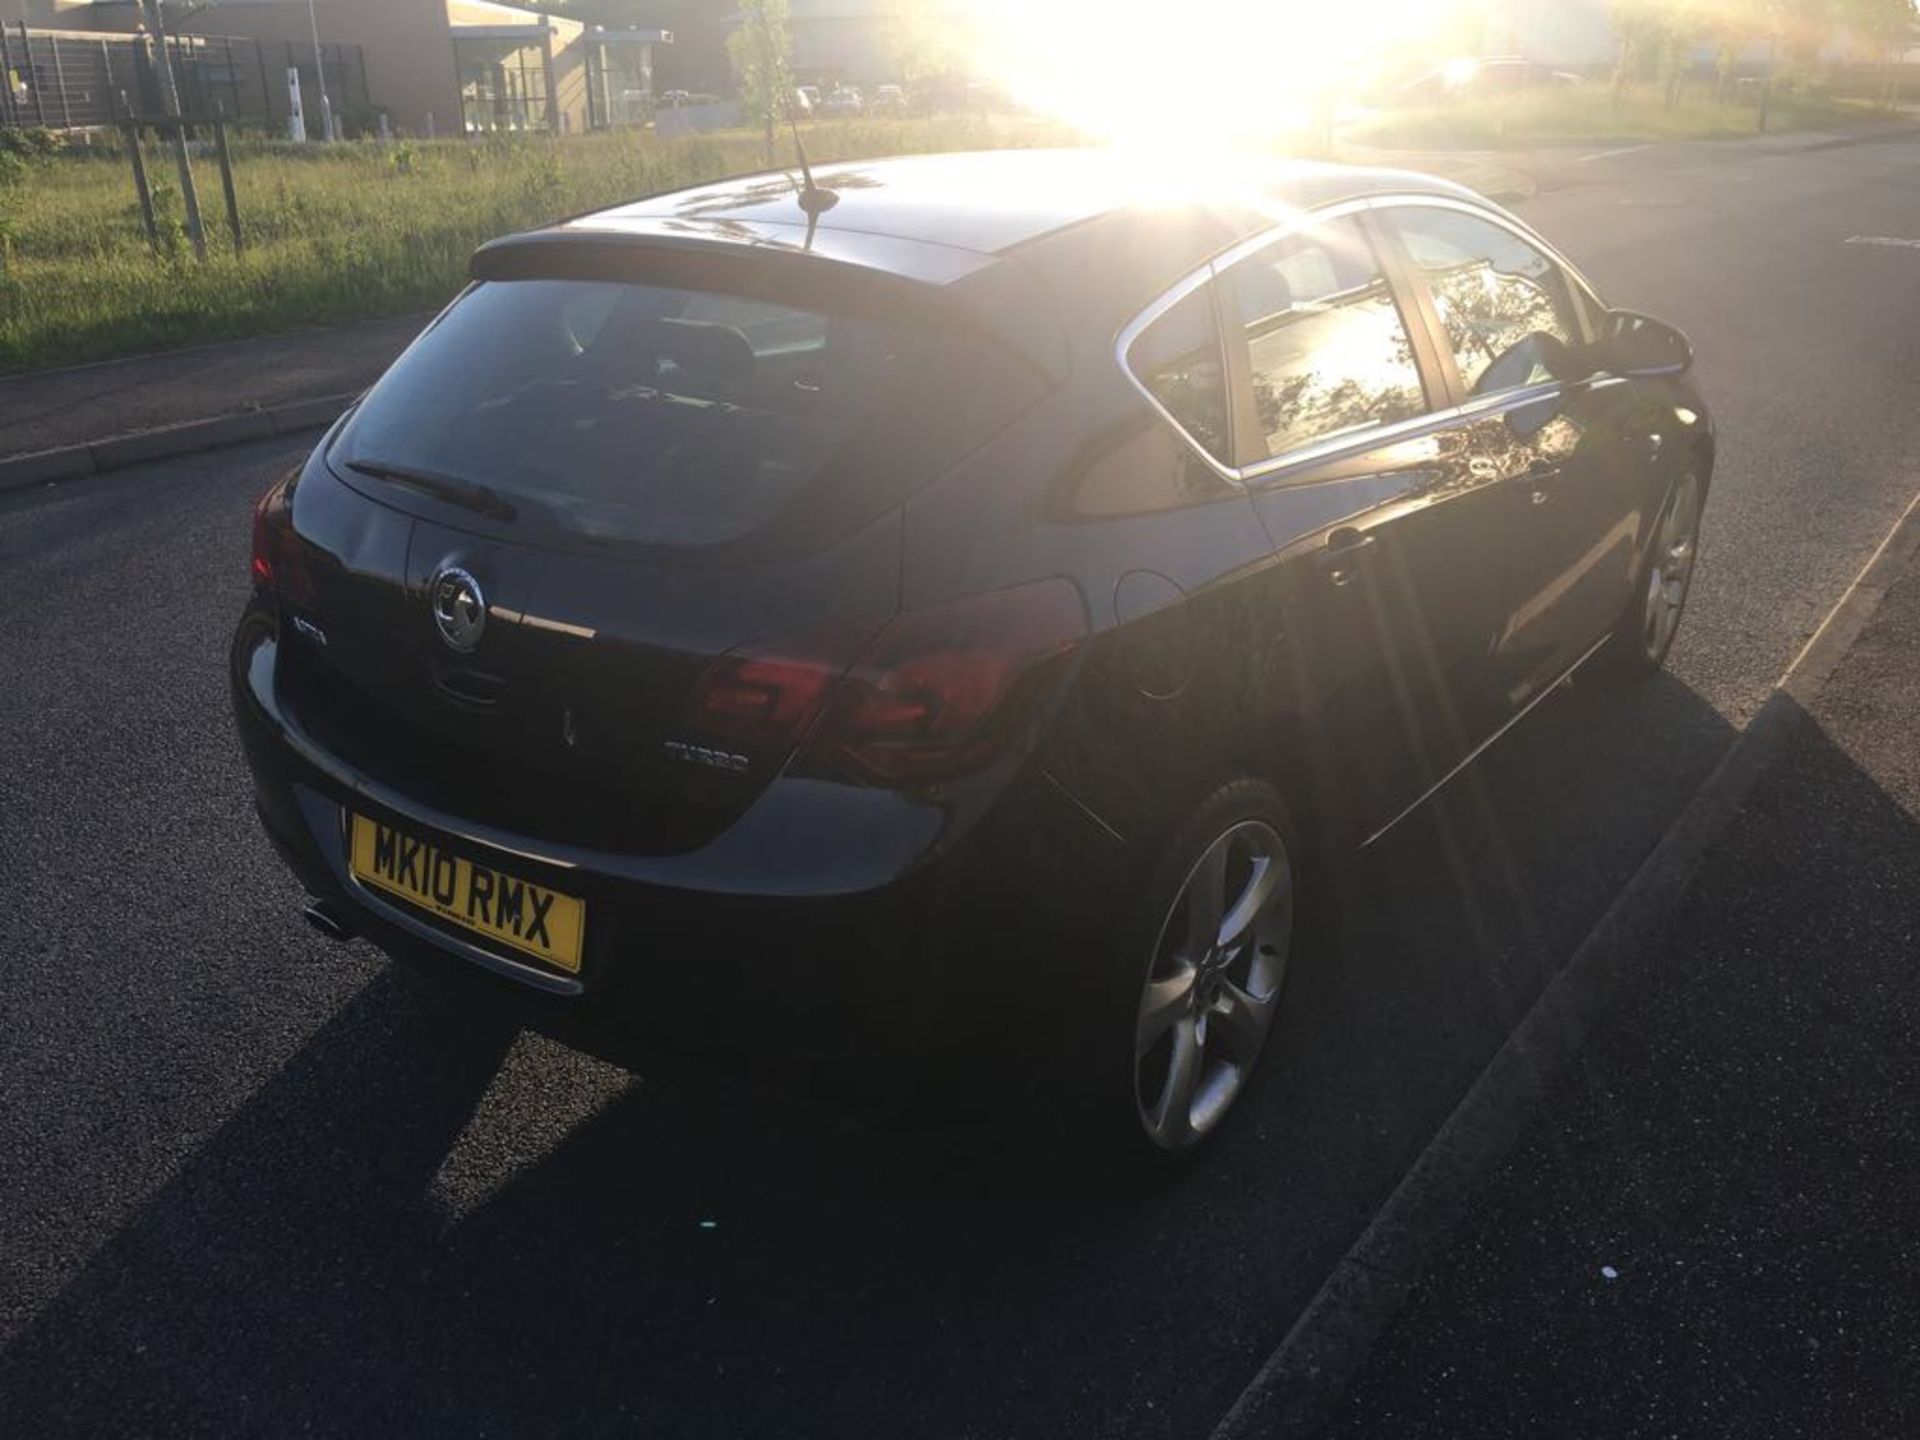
(673, 418)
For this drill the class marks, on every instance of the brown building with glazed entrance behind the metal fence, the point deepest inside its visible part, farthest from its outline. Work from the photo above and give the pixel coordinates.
(431, 66)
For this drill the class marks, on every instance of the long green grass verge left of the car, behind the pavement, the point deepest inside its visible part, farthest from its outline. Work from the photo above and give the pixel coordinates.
(348, 231)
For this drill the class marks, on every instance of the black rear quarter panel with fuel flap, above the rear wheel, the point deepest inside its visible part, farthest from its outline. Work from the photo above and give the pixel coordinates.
(1186, 663)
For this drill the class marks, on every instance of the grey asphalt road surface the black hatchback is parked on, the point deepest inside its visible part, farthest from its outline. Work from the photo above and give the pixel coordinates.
(252, 1182)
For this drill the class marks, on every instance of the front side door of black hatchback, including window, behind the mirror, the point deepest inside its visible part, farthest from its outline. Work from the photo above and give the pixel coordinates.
(1568, 446)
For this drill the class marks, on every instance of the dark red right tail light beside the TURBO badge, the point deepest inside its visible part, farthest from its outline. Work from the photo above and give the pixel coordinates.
(932, 696)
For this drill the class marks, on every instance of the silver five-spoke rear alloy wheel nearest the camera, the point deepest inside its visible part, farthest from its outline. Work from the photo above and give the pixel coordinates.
(1214, 984)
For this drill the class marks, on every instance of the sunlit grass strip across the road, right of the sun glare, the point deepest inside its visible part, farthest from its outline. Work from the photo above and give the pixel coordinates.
(1591, 114)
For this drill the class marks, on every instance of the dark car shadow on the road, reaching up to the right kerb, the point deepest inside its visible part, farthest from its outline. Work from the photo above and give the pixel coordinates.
(698, 1260)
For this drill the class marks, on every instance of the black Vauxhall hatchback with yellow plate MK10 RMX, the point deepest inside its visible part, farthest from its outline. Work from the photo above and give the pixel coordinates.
(842, 619)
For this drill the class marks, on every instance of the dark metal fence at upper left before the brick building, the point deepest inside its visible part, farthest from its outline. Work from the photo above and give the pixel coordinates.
(80, 80)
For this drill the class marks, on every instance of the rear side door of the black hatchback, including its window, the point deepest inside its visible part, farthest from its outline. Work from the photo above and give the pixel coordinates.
(1391, 529)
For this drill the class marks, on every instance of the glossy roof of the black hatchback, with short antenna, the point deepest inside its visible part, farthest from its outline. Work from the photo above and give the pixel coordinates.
(1042, 247)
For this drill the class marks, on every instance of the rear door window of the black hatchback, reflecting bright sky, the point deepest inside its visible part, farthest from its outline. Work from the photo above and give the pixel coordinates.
(1328, 350)
